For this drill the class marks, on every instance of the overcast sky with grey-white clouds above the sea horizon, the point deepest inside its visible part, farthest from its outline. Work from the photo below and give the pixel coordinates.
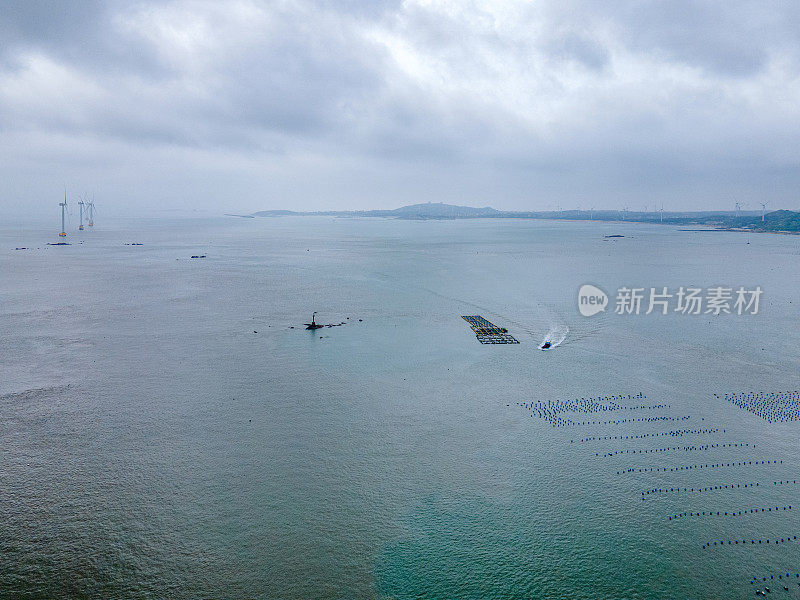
(247, 105)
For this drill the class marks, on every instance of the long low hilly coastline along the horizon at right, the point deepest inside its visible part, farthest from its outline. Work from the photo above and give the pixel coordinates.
(778, 220)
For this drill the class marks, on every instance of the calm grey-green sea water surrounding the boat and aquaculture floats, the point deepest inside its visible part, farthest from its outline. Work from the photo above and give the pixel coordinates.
(153, 445)
